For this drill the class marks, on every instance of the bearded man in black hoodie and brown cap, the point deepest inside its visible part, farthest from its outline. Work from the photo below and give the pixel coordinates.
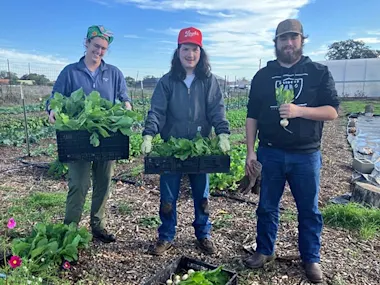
(289, 150)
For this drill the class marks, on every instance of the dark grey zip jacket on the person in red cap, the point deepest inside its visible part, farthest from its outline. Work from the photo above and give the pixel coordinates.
(178, 111)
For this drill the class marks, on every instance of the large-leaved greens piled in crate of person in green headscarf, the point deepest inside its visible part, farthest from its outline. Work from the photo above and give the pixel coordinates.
(92, 113)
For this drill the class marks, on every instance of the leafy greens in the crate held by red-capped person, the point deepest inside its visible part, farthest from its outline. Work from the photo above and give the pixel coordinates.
(183, 148)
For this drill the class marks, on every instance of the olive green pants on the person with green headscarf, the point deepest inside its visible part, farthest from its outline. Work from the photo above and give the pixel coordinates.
(79, 183)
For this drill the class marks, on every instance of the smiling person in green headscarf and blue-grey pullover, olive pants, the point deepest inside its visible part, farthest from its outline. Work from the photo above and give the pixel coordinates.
(92, 74)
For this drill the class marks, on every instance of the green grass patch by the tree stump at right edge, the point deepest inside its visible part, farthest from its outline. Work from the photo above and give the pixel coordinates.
(366, 221)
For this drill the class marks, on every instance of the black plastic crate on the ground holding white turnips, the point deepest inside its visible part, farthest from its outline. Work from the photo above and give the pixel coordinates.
(183, 264)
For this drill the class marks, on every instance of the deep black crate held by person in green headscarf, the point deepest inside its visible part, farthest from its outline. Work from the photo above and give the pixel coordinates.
(75, 145)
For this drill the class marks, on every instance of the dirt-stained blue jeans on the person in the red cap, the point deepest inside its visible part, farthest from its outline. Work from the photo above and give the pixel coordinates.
(169, 190)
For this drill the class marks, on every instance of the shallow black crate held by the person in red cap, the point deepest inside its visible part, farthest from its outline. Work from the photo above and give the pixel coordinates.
(192, 165)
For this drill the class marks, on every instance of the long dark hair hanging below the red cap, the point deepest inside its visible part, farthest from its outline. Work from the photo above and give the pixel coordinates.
(201, 71)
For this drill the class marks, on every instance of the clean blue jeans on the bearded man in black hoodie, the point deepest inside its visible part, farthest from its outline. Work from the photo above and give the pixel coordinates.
(302, 171)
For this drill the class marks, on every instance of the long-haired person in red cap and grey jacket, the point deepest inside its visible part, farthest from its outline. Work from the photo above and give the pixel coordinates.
(186, 101)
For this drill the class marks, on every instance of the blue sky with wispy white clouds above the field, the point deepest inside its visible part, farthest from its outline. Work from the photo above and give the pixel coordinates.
(45, 35)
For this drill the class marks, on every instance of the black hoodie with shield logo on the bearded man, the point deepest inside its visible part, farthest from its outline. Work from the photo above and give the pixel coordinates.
(313, 86)
